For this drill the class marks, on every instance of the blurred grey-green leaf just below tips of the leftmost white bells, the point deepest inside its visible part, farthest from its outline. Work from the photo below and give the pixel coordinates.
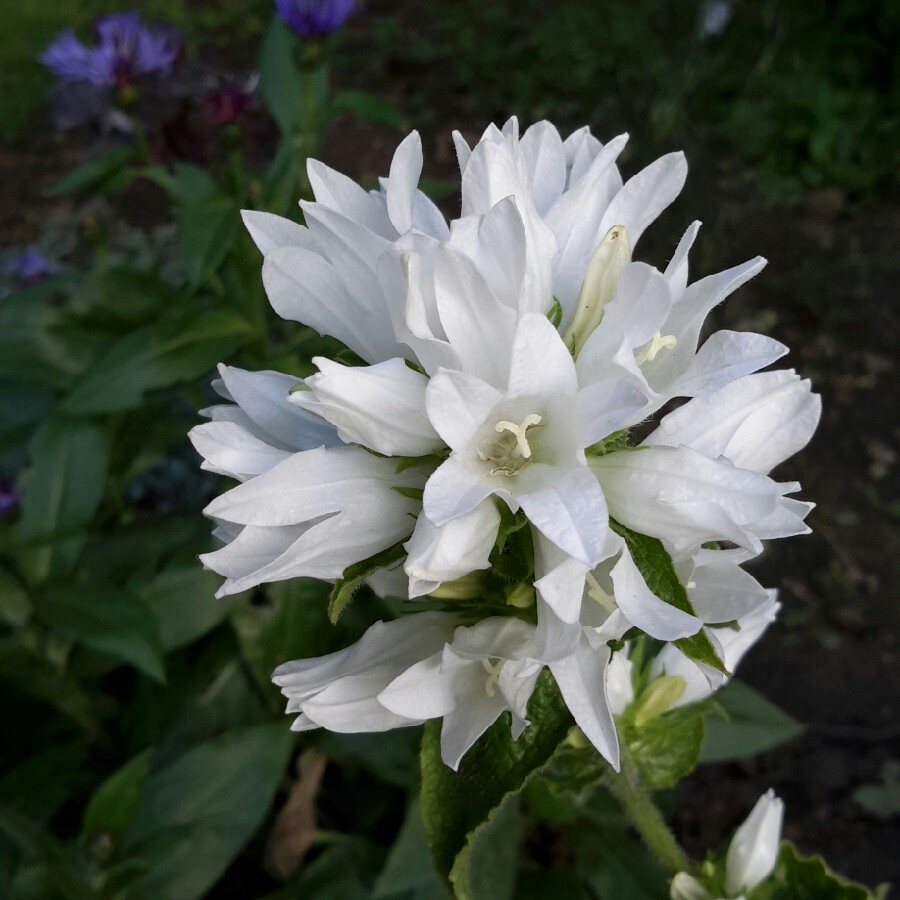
(183, 601)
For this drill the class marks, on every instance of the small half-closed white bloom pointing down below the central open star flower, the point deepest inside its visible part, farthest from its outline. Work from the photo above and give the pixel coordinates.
(443, 553)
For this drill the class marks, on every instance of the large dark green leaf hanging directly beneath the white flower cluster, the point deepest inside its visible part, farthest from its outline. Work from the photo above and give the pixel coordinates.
(455, 804)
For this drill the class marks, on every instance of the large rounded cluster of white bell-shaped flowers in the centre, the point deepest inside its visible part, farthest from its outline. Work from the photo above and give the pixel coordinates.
(500, 361)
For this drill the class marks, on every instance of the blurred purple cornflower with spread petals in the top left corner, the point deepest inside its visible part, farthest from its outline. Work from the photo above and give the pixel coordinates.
(125, 49)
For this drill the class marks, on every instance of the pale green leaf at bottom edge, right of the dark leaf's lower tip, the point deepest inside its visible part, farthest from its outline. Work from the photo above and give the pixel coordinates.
(486, 867)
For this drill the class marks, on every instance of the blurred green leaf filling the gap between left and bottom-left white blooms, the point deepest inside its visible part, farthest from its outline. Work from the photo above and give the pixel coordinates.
(291, 623)
